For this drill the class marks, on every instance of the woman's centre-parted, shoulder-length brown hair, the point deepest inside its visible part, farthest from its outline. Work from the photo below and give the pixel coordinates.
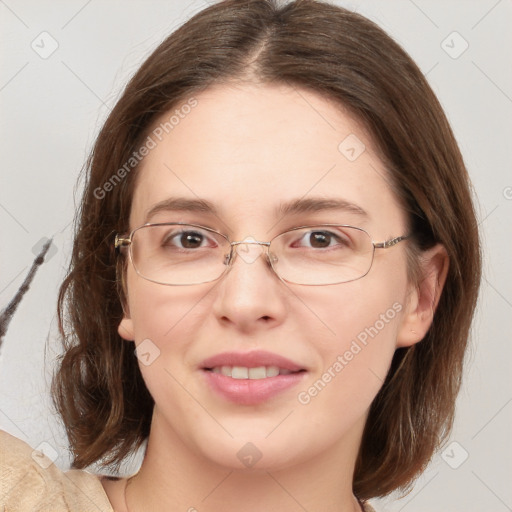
(98, 388)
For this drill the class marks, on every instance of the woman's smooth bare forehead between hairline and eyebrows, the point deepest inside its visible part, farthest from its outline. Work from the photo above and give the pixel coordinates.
(250, 149)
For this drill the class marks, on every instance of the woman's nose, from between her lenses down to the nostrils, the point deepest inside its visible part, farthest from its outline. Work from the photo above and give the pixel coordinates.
(250, 296)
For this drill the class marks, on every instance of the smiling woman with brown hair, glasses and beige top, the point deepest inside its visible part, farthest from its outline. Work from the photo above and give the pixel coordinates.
(278, 218)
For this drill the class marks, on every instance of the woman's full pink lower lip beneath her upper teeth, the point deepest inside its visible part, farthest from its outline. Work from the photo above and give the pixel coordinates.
(251, 391)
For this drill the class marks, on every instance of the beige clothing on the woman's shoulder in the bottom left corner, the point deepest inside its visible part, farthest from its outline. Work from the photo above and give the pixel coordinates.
(30, 481)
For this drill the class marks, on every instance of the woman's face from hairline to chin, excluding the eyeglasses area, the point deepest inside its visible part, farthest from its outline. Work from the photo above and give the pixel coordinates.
(248, 151)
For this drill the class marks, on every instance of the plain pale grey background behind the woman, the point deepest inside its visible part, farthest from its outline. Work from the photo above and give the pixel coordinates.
(52, 109)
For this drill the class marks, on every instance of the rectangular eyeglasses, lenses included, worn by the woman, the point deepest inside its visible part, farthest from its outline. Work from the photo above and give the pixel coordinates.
(180, 254)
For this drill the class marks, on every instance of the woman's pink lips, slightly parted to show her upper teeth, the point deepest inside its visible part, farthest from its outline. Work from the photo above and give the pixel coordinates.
(251, 378)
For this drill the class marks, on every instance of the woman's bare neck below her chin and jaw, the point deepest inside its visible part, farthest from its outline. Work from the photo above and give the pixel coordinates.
(175, 478)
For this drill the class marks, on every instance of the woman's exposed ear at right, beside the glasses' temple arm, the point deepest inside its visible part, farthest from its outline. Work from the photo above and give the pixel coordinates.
(424, 296)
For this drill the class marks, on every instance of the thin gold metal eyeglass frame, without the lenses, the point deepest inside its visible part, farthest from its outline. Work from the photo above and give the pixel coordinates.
(121, 242)
